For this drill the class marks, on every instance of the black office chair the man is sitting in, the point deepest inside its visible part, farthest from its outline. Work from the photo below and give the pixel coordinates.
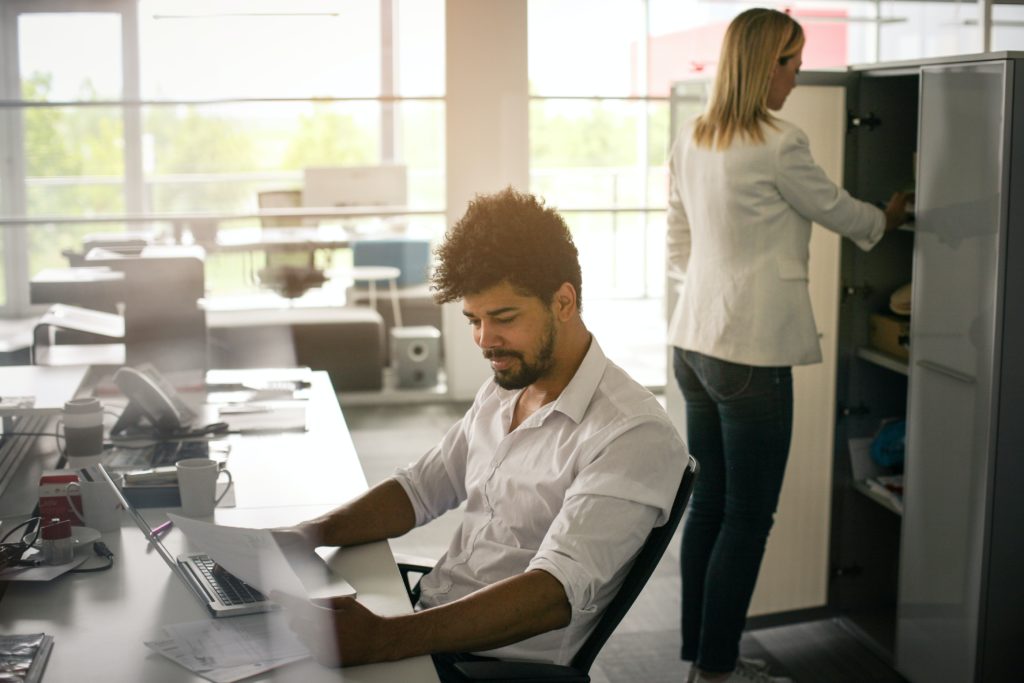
(577, 672)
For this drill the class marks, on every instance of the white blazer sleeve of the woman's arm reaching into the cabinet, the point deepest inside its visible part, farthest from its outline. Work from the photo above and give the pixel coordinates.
(805, 186)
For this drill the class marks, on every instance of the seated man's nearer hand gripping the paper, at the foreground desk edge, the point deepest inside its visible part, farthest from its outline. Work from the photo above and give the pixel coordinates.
(342, 634)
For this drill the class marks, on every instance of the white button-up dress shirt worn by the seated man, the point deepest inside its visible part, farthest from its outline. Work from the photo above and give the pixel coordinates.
(574, 491)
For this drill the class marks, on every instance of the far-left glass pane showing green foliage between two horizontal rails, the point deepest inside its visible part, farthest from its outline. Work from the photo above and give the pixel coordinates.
(74, 160)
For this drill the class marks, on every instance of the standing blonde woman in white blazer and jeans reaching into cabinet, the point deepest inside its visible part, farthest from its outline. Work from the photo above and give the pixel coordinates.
(745, 191)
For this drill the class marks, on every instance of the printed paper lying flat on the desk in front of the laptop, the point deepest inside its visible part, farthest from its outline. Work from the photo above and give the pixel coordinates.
(231, 650)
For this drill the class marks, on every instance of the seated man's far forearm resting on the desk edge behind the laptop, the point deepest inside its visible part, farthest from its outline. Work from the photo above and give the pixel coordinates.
(383, 513)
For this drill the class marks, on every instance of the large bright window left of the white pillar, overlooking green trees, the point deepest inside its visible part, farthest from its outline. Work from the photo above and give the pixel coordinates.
(170, 107)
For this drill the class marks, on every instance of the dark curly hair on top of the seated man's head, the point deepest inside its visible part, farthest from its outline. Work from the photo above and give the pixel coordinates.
(507, 237)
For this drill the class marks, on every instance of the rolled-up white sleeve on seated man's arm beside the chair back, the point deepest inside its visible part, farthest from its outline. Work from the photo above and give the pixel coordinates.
(609, 513)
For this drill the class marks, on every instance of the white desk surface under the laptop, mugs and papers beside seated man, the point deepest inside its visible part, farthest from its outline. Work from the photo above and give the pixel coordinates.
(100, 621)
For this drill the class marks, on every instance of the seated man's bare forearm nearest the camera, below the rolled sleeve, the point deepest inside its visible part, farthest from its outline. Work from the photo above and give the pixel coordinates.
(506, 613)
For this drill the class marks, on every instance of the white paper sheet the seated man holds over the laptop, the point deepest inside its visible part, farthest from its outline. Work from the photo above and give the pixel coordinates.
(254, 557)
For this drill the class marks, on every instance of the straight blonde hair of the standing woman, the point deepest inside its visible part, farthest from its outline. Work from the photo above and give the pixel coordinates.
(755, 44)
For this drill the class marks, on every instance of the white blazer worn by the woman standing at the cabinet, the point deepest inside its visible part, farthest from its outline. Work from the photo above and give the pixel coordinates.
(740, 227)
